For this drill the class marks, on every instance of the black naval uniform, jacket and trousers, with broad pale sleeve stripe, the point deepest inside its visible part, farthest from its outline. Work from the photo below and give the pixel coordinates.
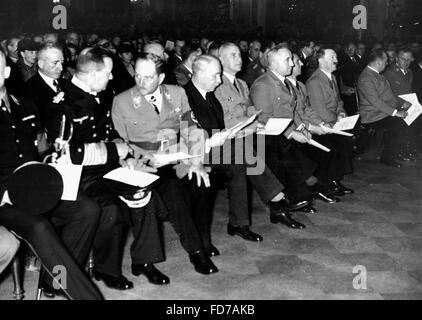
(92, 125)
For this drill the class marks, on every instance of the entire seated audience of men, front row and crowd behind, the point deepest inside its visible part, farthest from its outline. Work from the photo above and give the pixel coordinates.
(123, 95)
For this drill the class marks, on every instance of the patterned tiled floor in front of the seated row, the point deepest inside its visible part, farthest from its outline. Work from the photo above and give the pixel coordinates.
(379, 228)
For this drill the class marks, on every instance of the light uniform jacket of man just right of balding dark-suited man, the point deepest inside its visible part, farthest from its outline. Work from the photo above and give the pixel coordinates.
(235, 103)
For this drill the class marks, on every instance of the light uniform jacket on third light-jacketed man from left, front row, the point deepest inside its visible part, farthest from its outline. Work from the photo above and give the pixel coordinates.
(270, 94)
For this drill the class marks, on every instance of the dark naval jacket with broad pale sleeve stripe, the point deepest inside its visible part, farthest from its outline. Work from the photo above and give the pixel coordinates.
(93, 132)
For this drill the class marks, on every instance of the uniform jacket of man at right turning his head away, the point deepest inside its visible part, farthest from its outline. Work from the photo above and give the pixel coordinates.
(376, 99)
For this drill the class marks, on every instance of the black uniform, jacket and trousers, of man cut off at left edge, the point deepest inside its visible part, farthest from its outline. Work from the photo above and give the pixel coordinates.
(77, 220)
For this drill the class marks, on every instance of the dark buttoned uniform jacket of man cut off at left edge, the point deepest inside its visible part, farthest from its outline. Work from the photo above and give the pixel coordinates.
(18, 137)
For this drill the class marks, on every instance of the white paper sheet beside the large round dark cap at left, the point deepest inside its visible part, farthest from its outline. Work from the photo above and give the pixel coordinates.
(71, 175)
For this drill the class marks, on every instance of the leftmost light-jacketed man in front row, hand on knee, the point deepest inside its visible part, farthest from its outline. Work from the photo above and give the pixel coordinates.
(148, 116)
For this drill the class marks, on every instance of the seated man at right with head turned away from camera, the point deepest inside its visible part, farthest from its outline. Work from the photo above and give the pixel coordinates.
(380, 108)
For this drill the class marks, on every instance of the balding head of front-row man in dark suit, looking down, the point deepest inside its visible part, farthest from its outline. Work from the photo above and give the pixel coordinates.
(206, 72)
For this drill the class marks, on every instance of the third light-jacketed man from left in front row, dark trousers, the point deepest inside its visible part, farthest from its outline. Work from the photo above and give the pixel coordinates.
(274, 95)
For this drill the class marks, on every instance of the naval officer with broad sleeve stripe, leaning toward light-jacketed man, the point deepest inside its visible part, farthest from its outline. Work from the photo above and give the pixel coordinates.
(96, 145)
